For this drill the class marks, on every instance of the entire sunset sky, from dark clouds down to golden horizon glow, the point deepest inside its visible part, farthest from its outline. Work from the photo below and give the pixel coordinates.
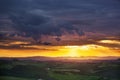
(59, 28)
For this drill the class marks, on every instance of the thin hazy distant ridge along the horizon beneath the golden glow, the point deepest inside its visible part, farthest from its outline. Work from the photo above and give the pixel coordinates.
(64, 59)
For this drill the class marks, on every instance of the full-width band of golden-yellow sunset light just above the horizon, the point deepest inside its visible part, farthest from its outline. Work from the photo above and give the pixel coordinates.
(62, 51)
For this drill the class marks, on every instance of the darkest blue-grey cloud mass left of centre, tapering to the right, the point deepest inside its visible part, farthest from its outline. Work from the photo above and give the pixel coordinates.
(37, 24)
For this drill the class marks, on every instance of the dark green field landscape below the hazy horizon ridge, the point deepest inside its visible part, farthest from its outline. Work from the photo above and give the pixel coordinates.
(14, 69)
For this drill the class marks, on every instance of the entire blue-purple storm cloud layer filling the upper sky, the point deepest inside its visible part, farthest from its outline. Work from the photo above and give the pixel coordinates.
(33, 18)
